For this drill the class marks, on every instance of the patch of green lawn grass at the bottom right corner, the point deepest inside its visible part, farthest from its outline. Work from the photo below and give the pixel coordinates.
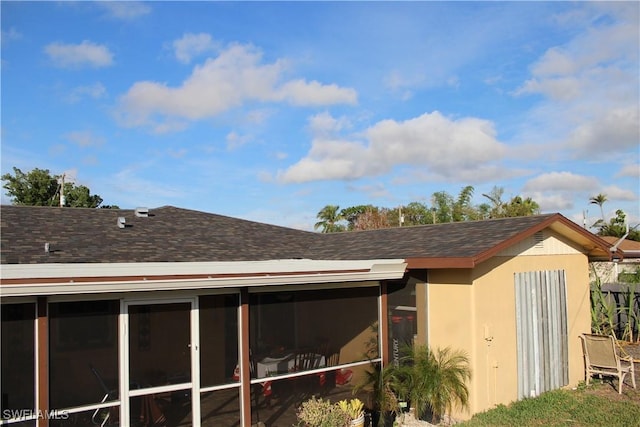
(581, 407)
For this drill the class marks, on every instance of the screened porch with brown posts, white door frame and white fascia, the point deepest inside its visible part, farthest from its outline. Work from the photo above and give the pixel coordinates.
(180, 344)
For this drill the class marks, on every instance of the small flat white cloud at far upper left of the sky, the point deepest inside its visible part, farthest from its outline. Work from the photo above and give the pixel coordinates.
(79, 55)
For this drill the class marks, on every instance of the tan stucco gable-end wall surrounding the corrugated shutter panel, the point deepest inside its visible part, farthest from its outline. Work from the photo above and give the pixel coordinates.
(474, 310)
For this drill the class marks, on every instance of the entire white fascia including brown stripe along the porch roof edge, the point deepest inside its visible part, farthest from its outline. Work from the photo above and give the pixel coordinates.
(246, 274)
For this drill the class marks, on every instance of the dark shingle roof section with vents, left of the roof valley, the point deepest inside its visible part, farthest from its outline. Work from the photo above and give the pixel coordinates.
(169, 234)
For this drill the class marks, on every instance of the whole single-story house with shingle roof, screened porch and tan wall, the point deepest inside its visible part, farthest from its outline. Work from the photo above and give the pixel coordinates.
(176, 317)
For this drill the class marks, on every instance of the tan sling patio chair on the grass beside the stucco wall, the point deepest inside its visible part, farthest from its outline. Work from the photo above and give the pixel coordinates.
(601, 358)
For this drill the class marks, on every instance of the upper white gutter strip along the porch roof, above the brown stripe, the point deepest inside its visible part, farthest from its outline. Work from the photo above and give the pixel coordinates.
(42, 271)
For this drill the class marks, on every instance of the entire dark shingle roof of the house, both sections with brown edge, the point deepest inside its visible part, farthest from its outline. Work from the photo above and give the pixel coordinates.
(170, 234)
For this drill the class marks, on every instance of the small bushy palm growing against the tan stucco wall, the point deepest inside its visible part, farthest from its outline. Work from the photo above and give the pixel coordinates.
(435, 381)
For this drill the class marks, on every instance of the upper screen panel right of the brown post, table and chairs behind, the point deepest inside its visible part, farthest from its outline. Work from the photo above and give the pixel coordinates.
(337, 324)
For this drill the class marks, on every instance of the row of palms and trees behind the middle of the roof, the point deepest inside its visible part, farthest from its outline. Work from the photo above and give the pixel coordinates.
(444, 208)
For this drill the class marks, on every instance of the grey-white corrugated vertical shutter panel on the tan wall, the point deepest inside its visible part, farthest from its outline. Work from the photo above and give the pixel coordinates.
(541, 322)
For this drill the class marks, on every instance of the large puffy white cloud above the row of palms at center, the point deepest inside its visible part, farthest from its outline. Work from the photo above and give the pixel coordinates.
(442, 145)
